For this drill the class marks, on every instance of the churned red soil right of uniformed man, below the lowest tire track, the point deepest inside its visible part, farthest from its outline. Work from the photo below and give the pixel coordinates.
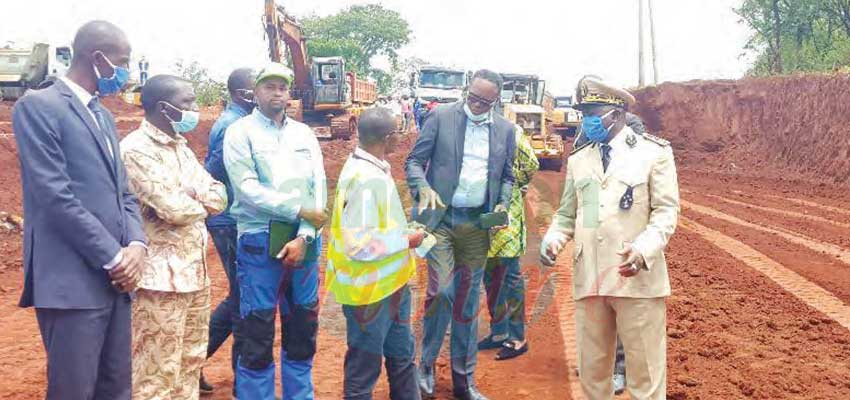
(733, 333)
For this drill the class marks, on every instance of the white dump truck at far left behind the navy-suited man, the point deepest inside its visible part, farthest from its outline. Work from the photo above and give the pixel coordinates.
(31, 67)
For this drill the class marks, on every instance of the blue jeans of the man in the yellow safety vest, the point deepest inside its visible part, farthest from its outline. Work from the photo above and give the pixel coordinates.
(374, 332)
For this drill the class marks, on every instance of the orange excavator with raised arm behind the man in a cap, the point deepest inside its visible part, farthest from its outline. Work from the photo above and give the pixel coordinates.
(323, 94)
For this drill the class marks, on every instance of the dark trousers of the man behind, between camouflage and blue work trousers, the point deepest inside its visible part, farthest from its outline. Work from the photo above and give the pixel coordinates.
(224, 320)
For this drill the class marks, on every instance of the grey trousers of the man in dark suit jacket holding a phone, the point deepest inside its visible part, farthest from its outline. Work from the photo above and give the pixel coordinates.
(455, 270)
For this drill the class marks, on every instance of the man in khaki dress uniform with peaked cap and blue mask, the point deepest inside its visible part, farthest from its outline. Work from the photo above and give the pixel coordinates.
(620, 205)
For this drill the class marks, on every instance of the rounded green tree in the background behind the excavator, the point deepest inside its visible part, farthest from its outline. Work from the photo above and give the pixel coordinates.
(359, 33)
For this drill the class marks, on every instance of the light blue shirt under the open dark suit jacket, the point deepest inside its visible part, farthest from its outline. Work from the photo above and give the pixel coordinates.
(472, 185)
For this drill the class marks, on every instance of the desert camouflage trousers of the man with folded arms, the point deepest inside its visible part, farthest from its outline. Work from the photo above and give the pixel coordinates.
(170, 335)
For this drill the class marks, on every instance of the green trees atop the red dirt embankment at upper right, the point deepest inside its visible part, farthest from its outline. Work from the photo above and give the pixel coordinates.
(813, 35)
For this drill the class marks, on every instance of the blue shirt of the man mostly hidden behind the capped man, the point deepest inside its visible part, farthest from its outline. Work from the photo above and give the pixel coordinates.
(214, 162)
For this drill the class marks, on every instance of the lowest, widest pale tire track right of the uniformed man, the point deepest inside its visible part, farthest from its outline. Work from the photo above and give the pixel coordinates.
(811, 294)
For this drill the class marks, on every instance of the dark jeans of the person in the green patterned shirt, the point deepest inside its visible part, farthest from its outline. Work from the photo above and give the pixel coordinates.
(505, 297)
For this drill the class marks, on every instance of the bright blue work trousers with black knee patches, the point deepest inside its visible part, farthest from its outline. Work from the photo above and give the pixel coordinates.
(266, 285)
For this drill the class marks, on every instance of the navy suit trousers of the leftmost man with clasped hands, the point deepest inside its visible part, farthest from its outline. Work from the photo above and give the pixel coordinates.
(88, 351)
